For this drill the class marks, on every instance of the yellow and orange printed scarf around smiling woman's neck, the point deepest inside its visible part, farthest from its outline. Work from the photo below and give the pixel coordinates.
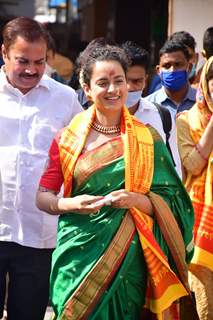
(164, 287)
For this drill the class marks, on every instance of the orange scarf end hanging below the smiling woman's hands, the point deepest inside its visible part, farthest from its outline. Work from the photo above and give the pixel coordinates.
(164, 287)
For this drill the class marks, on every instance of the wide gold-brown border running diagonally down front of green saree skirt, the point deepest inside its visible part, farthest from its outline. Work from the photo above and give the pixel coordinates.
(95, 283)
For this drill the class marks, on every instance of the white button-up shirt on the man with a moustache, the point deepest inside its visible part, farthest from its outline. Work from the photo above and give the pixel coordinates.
(28, 124)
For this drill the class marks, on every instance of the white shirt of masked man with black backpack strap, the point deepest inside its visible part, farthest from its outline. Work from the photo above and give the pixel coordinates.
(148, 114)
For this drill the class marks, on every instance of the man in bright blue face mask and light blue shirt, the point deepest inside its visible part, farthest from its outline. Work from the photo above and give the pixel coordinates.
(176, 93)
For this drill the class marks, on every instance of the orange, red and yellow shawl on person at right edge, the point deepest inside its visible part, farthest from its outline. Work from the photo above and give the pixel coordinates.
(200, 187)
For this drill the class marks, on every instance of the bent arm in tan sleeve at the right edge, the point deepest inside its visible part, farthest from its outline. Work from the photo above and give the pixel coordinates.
(194, 157)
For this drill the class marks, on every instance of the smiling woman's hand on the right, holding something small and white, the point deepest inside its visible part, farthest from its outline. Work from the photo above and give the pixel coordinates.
(126, 199)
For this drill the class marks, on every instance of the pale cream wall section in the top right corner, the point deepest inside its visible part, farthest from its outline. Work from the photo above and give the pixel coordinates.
(194, 16)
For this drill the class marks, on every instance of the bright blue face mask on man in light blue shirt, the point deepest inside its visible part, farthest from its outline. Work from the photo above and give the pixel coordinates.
(174, 80)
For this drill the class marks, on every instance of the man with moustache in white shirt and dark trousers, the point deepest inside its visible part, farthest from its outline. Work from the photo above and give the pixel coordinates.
(33, 107)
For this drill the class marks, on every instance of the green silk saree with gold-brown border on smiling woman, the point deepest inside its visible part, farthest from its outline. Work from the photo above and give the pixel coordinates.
(86, 247)
